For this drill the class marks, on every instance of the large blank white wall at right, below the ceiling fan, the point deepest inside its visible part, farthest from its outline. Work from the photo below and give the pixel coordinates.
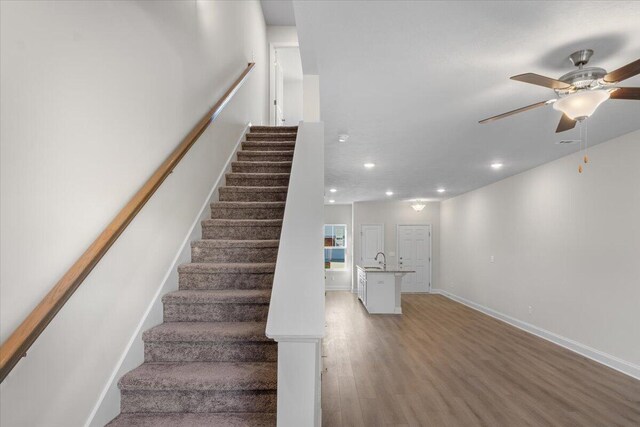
(565, 244)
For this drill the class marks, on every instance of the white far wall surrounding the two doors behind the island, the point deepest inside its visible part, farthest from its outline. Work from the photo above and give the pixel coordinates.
(391, 214)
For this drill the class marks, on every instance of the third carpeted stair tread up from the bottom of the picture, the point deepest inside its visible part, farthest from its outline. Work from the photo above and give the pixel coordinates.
(207, 332)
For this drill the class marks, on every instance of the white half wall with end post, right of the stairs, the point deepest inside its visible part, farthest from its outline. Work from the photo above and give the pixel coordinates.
(296, 312)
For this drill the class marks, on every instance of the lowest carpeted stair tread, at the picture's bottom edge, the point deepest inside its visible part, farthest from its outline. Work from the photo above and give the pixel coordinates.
(194, 420)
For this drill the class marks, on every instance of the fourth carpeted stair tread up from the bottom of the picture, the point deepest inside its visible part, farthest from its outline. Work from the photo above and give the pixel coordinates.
(218, 296)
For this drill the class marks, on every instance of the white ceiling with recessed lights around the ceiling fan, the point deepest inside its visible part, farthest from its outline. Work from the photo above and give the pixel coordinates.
(408, 81)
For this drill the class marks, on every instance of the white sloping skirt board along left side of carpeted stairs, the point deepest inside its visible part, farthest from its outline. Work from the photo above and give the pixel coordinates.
(133, 353)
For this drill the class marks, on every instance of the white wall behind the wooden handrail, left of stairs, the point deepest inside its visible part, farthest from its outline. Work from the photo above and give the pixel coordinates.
(94, 97)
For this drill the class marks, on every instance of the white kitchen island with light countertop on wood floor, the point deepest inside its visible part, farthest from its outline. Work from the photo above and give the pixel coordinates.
(379, 289)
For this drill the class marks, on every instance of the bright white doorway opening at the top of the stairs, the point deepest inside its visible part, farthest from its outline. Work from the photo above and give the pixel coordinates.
(286, 85)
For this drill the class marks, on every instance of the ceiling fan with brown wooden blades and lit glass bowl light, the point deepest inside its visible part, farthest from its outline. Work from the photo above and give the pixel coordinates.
(581, 91)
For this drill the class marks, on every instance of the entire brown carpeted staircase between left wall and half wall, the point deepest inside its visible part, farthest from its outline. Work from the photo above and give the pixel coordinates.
(210, 363)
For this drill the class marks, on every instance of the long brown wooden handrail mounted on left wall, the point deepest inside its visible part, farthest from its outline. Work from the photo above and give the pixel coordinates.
(16, 346)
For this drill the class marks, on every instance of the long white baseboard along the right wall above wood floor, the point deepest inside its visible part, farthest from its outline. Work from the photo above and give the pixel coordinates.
(612, 362)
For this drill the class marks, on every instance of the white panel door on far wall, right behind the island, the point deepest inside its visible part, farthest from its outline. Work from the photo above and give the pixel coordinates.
(414, 253)
